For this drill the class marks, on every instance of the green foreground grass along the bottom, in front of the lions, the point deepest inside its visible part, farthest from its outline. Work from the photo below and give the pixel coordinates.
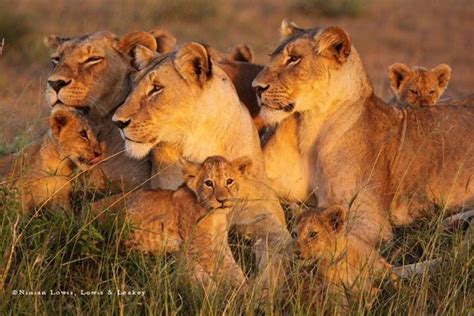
(78, 254)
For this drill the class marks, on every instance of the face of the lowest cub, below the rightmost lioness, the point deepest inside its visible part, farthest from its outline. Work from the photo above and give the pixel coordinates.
(316, 232)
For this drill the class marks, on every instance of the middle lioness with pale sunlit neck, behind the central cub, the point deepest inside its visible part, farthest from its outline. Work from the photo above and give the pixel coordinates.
(186, 100)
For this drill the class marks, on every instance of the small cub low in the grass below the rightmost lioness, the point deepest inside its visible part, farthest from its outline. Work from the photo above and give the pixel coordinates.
(346, 263)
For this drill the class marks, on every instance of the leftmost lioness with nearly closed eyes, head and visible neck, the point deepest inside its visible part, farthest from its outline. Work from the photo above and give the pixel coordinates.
(93, 72)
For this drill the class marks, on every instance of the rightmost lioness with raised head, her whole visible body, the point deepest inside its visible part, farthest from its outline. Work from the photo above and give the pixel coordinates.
(351, 148)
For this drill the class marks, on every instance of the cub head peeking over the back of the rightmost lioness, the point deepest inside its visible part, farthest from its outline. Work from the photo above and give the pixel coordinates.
(419, 86)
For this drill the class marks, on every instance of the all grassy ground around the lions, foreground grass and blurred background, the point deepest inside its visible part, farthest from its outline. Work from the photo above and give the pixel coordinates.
(75, 252)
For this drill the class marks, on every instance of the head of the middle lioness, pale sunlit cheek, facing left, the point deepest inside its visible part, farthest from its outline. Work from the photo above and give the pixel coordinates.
(175, 100)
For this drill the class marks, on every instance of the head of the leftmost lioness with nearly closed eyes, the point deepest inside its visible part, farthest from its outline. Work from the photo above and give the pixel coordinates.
(93, 70)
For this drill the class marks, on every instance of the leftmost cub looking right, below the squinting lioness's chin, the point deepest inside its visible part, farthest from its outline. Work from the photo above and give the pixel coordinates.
(43, 172)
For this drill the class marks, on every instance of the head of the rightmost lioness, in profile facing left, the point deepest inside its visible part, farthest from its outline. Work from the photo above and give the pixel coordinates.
(314, 66)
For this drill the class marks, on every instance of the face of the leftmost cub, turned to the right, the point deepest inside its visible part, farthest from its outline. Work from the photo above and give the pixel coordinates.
(75, 138)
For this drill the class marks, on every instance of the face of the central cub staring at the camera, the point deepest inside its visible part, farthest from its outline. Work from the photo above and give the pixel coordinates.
(217, 181)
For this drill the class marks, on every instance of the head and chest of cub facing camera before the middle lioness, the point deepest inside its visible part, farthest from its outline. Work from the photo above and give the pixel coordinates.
(208, 256)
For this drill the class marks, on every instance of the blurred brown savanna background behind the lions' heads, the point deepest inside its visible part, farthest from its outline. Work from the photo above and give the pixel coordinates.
(415, 32)
